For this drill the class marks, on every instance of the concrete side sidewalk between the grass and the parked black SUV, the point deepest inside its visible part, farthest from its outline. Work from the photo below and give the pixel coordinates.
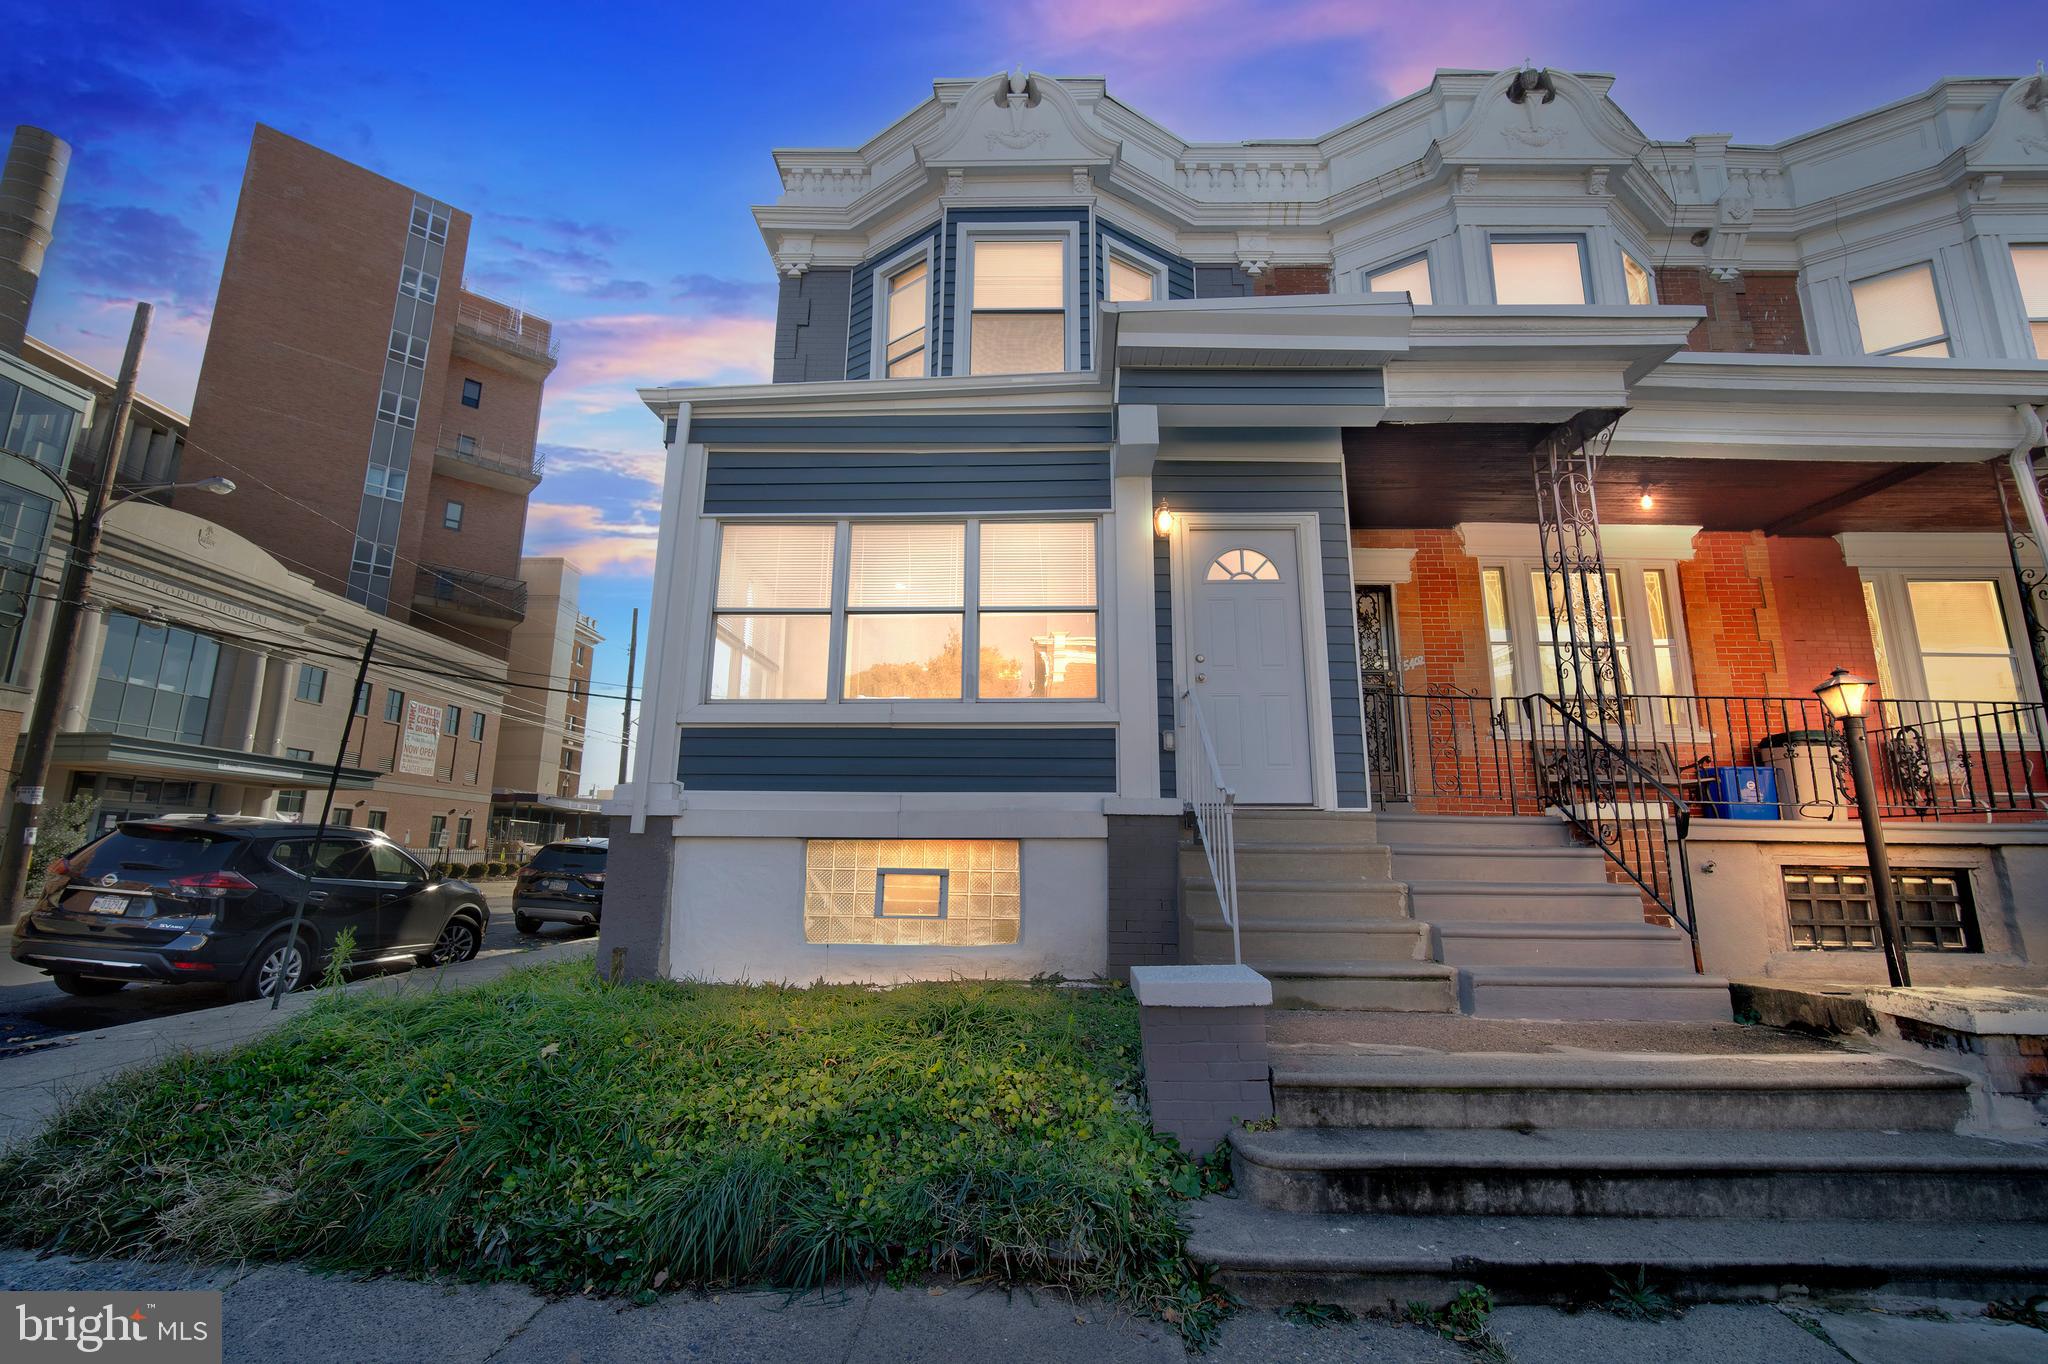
(36, 1084)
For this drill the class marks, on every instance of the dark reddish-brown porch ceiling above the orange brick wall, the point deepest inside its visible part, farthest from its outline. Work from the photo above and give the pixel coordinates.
(1457, 472)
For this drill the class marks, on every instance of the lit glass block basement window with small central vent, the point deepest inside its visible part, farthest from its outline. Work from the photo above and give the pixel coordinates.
(892, 892)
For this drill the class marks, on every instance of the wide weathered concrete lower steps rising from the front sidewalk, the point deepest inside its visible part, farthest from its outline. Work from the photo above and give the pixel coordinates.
(1418, 1158)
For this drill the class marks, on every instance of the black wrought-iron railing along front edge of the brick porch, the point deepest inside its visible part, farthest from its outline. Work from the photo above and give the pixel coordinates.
(1721, 757)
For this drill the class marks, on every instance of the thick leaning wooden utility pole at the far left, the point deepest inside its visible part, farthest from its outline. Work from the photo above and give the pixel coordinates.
(32, 757)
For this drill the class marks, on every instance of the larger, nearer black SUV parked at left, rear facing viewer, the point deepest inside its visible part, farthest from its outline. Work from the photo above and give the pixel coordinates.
(210, 900)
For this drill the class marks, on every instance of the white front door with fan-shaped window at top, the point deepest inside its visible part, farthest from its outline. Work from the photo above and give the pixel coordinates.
(1246, 660)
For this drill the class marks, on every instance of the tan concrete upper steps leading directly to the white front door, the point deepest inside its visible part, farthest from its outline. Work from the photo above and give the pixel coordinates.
(1320, 917)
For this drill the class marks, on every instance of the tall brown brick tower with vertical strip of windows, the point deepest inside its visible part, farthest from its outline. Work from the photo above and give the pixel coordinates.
(378, 417)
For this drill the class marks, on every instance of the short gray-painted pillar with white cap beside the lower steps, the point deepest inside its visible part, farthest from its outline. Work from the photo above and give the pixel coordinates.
(1207, 1066)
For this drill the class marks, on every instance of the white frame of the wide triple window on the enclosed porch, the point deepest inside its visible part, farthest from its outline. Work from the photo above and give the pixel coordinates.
(837, 708)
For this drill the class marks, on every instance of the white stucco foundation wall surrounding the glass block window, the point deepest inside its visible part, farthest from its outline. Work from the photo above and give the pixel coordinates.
(738, 917)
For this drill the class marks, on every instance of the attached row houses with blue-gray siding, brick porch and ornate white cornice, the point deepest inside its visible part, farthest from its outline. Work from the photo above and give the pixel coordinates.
(1453, 515)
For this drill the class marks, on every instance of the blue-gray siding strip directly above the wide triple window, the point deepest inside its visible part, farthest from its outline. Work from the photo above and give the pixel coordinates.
(914, 482)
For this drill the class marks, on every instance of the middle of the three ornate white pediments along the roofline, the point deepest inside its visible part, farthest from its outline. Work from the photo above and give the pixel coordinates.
(1541, 118)
